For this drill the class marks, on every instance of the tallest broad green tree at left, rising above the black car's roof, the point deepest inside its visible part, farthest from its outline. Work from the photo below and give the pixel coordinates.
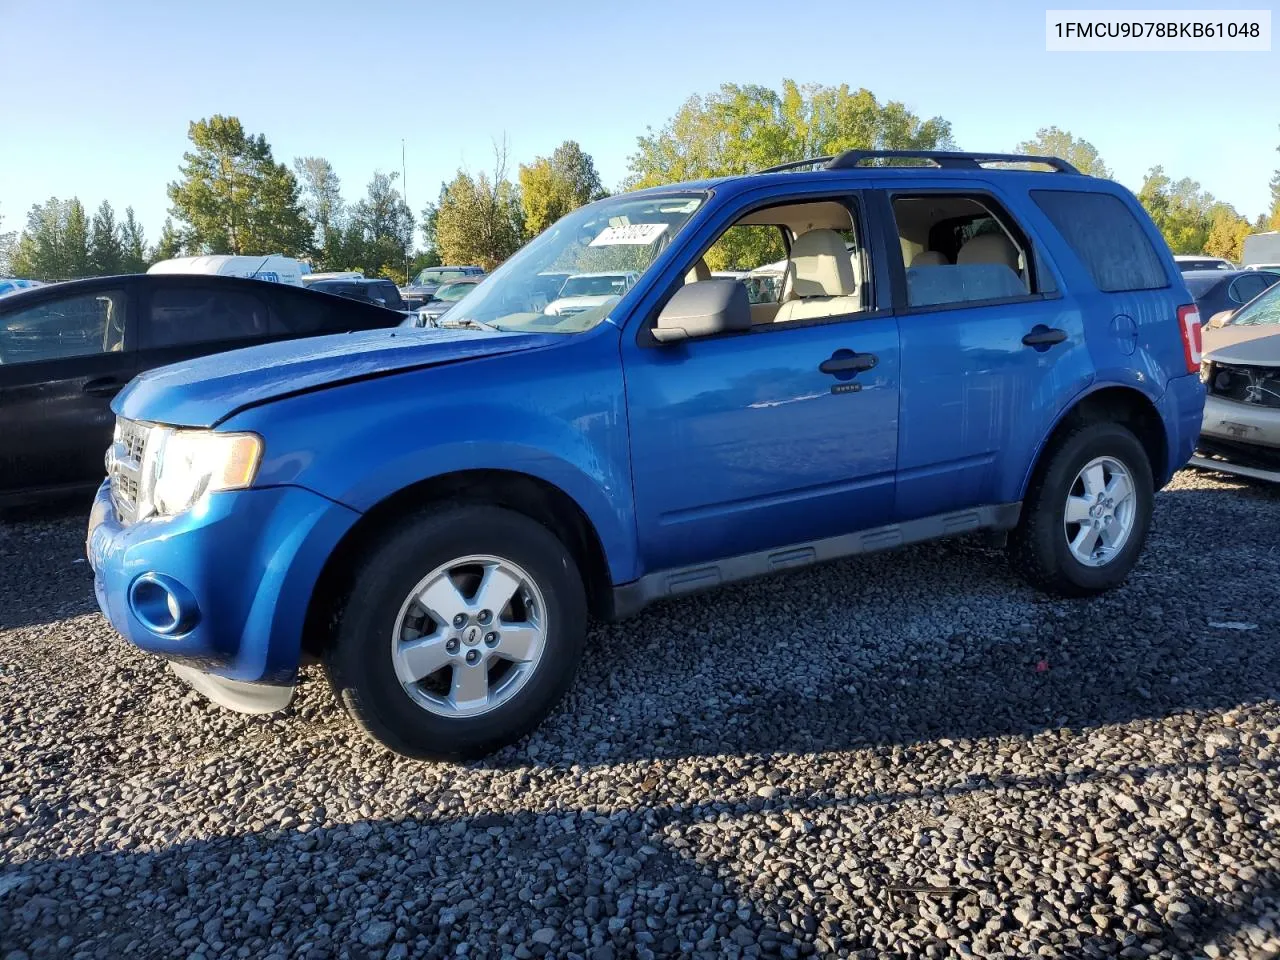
(234, 198)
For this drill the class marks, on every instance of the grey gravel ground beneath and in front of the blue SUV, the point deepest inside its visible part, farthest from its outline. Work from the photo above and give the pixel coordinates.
(903, 756)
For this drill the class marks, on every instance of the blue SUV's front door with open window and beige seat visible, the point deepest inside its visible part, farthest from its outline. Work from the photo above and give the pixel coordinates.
(779, 436)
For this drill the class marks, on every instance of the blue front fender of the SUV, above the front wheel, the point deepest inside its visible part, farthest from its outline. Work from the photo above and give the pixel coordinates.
(556, 415)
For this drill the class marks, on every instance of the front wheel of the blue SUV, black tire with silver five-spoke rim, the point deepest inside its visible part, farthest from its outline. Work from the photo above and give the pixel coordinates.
(461, 632)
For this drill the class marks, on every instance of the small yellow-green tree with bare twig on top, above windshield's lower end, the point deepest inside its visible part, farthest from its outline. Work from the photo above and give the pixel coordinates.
(478, 220)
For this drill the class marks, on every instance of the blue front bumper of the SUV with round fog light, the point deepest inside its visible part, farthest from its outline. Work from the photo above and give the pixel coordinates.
(241, 568)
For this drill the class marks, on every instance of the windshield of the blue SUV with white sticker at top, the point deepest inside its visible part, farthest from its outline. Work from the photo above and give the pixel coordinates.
(614, 237)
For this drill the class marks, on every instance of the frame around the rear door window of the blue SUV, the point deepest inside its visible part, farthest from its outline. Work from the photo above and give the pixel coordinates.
(1037, 264)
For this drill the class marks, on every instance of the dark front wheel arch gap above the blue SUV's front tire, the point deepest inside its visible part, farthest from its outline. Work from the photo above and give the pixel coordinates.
(523, 493)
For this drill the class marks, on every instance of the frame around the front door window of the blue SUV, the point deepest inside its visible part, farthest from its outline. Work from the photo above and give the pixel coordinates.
(854, 198)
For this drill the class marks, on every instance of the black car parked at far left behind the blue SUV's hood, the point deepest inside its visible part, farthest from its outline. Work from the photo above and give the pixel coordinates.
(68, 349)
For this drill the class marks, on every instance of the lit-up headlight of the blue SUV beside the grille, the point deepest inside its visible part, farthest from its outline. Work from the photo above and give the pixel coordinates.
(185, 465)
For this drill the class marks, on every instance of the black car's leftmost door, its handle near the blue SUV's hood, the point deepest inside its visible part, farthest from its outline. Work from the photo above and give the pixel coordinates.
(63, 356)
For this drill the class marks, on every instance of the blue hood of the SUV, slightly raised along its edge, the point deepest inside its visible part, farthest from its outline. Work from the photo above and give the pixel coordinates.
(207, 391)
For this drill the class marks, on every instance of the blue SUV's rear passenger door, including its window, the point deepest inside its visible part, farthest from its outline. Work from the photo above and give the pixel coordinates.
(993, 349)
